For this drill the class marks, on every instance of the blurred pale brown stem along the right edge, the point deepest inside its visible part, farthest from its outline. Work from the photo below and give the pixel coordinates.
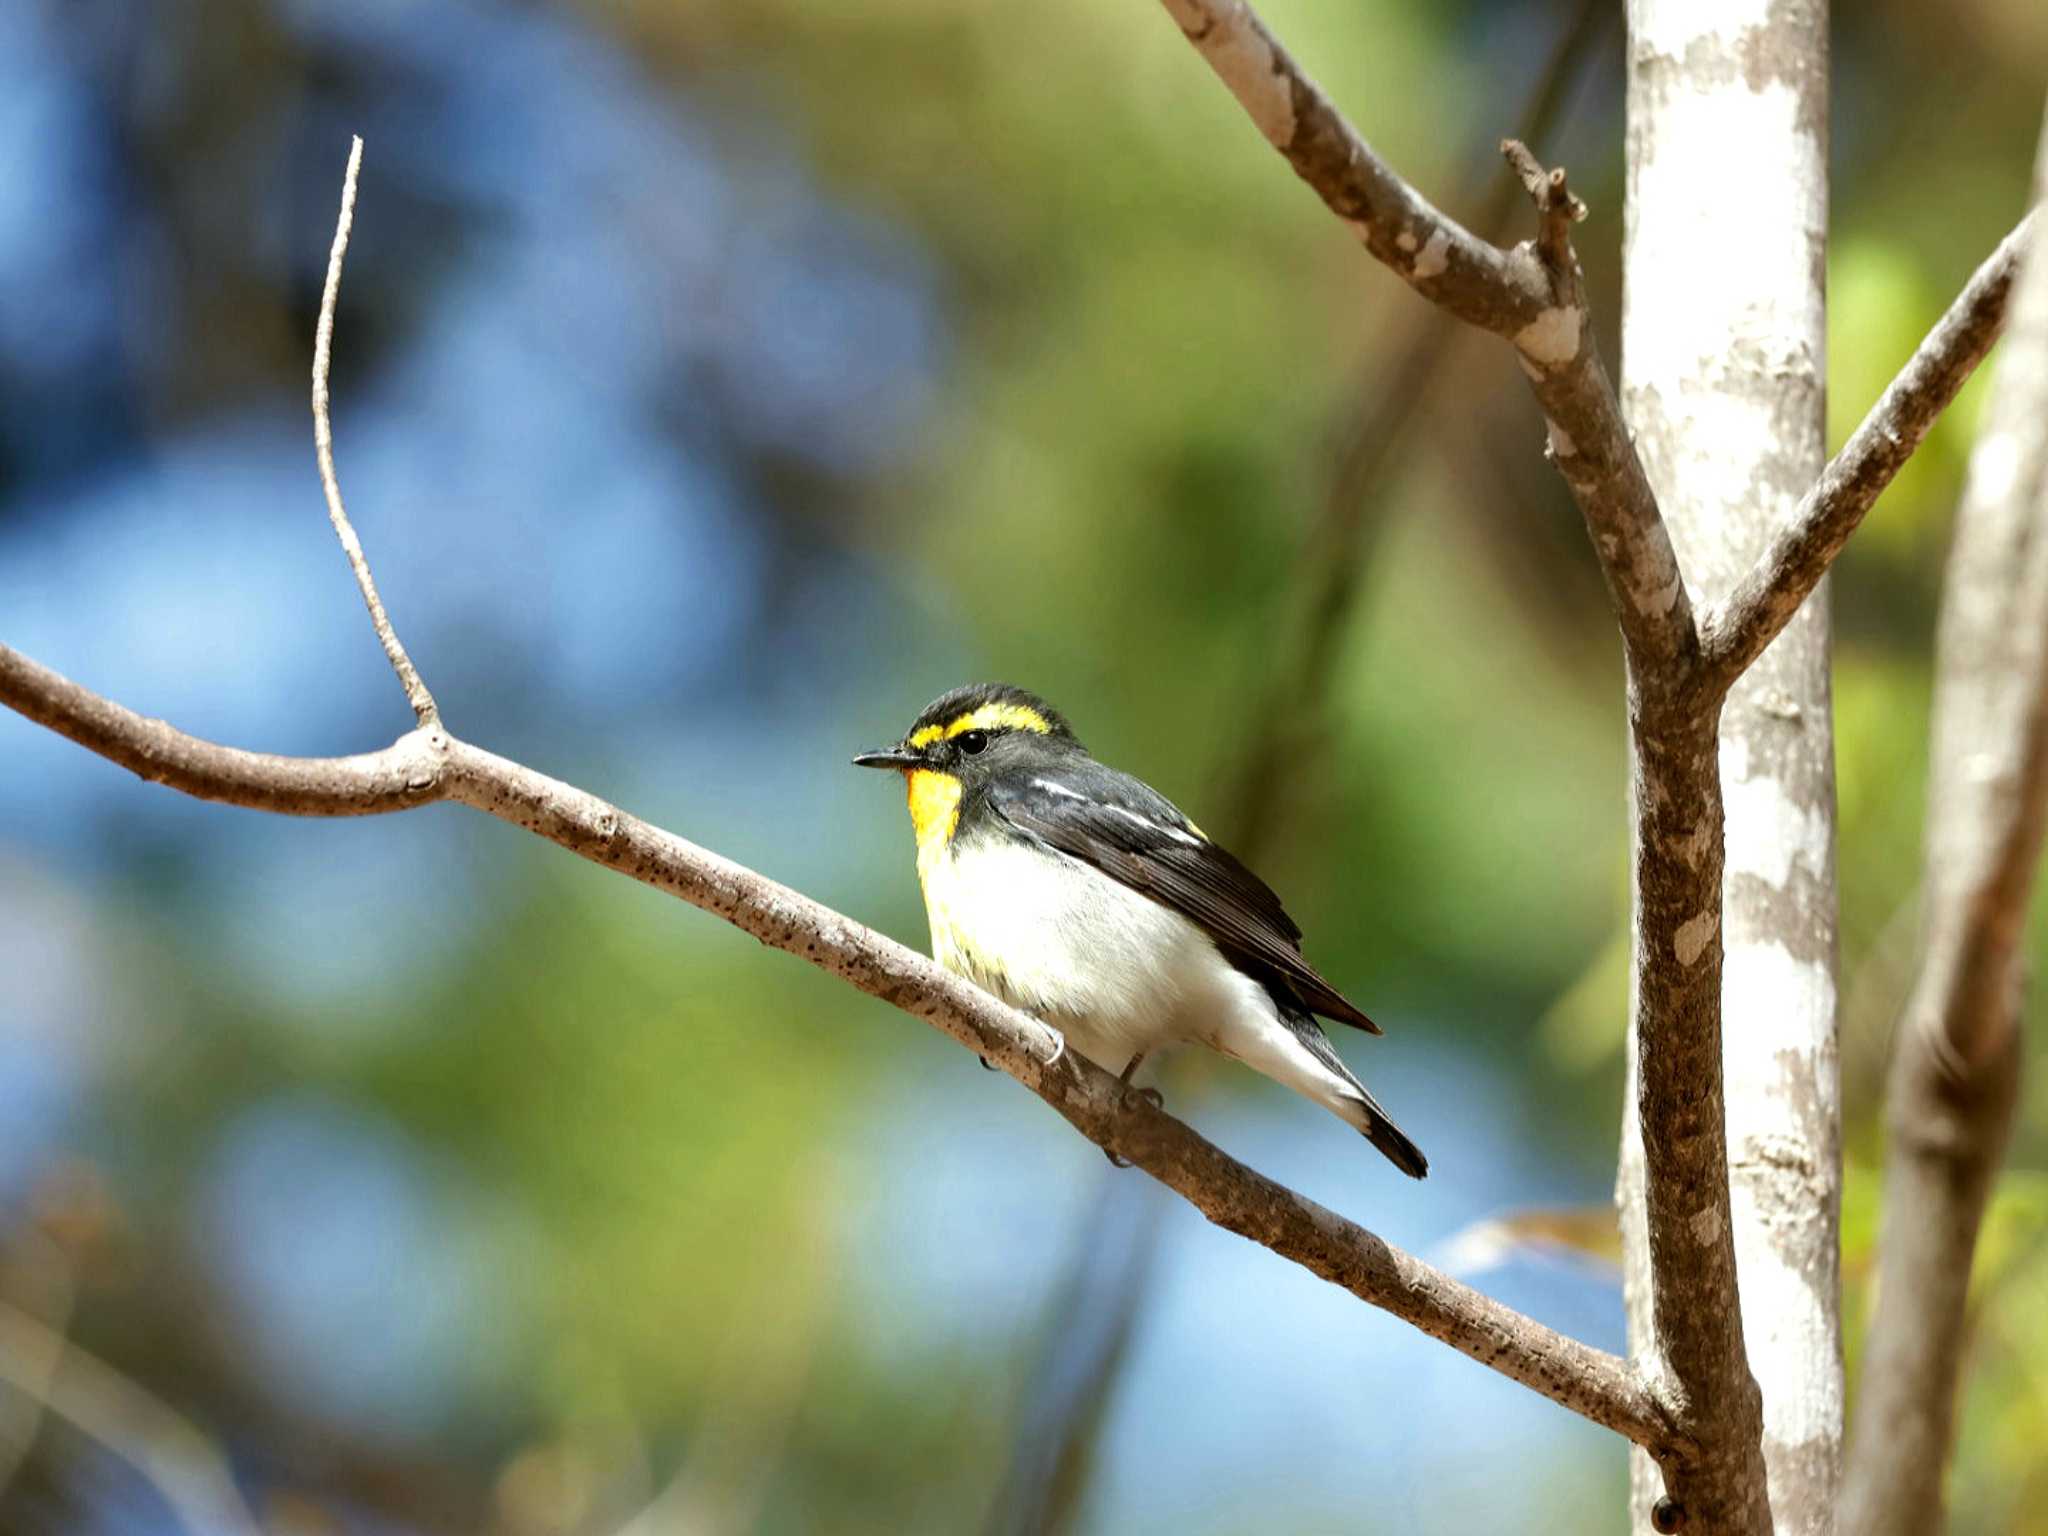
(1957, 1058)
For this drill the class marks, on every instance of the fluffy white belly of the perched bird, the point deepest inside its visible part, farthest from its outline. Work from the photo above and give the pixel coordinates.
(1111, 970)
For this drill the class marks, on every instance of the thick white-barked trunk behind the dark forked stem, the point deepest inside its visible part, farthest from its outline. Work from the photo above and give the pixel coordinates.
(1723, 366)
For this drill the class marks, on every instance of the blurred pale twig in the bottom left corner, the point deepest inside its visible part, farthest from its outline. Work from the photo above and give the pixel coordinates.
(128, 1420)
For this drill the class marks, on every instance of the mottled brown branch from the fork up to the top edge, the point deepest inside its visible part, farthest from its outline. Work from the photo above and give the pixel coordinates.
(1525, 296)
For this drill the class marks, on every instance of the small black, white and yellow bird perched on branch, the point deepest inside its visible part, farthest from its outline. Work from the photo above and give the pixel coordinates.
(1089, 900)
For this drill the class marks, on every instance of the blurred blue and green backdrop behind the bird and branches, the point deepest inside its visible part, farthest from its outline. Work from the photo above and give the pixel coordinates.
(837, 355)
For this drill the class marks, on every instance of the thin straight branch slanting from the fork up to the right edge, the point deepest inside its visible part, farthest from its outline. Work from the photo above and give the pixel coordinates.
(1854, 478)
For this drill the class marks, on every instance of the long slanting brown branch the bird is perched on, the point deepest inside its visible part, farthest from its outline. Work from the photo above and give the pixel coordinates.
(429, 765)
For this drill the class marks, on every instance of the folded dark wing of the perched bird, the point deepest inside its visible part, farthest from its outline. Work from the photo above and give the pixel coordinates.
(1140, 839)
